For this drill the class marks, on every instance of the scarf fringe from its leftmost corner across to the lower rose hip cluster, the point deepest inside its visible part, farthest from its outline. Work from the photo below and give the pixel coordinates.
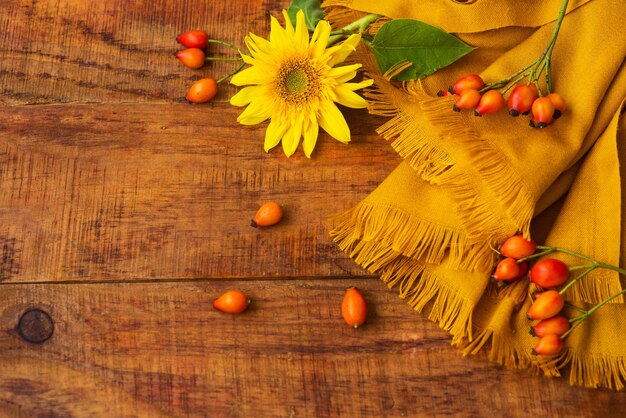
(375, 234)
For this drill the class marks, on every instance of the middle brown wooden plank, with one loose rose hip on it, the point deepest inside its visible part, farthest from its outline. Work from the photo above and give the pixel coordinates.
(112, 192)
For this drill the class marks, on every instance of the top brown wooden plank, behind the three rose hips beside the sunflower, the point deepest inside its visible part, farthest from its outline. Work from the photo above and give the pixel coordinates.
(60, 51)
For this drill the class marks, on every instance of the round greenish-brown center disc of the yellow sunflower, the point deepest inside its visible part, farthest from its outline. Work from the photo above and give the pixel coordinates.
(298, 81)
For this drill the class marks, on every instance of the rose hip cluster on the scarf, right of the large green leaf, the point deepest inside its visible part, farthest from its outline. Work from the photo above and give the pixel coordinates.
(473, 94)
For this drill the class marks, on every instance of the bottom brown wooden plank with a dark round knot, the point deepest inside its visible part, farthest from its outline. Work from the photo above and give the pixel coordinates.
(160, 345)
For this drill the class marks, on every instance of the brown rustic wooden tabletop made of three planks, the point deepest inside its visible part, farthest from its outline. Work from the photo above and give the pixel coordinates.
(124, 212)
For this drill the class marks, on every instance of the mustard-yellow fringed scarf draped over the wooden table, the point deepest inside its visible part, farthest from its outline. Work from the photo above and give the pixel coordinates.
(467, 183)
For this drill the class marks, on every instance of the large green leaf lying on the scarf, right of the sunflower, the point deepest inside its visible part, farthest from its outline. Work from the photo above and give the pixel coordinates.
(426, 47)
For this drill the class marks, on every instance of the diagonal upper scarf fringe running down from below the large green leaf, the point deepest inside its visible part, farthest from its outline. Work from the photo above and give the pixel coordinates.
(436, 166)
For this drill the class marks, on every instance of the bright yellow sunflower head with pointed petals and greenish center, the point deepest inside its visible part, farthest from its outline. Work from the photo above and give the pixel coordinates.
(292, 80)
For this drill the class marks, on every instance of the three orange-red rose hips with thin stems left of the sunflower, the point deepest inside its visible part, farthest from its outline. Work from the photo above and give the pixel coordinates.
(194, 57)
